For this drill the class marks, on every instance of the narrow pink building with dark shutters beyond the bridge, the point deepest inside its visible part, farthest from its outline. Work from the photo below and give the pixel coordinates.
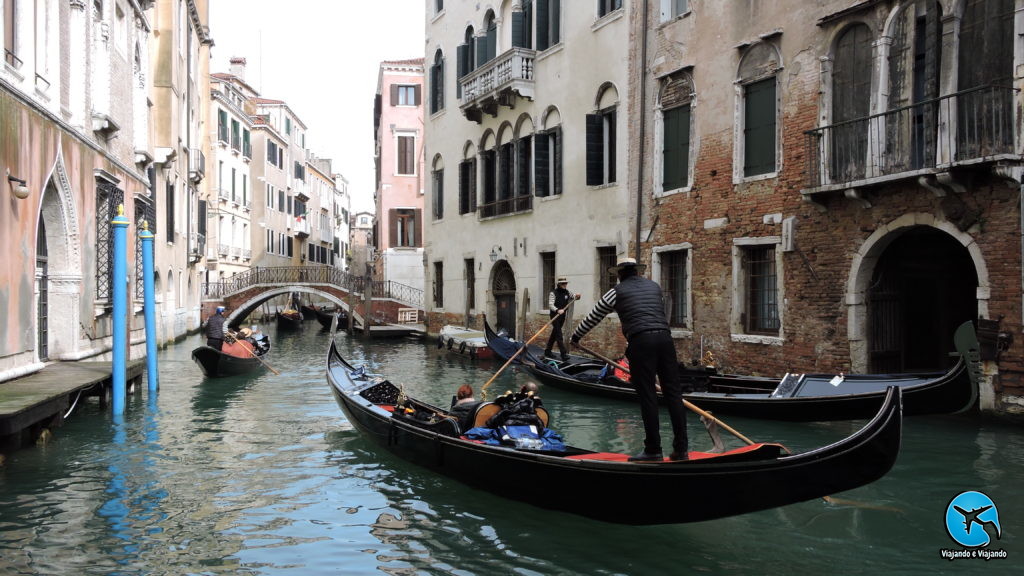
(399, 157)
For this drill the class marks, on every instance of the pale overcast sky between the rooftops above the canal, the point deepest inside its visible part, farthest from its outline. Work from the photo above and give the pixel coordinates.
(322, 58)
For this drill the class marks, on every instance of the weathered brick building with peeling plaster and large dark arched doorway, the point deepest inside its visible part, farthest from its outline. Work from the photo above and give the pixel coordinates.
(833, 187)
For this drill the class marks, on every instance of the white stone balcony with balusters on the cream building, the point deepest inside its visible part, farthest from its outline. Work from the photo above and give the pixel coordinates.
(498, 84)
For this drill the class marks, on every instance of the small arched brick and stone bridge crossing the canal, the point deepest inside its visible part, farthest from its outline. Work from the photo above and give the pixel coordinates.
(244, 294)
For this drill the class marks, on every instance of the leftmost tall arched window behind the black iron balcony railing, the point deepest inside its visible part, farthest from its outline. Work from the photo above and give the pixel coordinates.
(850, 103)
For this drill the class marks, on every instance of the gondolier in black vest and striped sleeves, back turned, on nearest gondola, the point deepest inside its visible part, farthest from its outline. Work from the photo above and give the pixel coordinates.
(651, 352)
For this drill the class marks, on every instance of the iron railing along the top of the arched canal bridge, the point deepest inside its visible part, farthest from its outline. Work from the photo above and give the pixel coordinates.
(279, 276)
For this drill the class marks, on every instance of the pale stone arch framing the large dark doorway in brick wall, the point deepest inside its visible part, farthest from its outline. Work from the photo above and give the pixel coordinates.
(863, 275)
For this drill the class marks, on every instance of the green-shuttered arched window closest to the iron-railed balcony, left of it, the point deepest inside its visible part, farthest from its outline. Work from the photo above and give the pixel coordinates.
(758, 134)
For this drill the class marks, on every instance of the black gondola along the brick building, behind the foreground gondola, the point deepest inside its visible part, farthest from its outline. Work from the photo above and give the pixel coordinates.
(794, 398)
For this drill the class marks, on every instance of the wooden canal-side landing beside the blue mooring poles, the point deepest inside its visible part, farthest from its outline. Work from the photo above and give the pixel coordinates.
(41, 400)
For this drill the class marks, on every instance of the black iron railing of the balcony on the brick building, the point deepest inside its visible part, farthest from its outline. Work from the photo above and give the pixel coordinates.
(971, 127)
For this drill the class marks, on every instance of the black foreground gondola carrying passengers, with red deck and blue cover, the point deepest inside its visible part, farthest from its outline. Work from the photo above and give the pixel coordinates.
(606, 486)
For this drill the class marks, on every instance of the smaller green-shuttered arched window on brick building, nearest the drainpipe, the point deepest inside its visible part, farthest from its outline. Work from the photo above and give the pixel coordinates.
(675, 101)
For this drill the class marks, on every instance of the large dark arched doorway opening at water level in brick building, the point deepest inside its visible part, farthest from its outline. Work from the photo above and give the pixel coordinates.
(923, 287)
